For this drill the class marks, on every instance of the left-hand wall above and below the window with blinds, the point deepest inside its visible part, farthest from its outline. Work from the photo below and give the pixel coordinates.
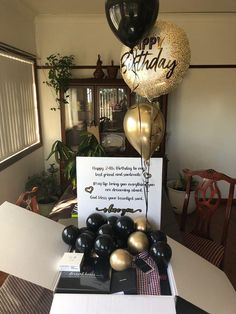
(17, 29)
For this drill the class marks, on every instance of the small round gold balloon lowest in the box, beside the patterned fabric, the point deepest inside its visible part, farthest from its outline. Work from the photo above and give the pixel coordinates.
(120, 260)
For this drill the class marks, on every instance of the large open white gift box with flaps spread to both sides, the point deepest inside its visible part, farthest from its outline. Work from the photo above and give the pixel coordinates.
(31, 247)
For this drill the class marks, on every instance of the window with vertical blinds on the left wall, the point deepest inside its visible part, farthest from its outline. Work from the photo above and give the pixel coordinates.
(19, 120)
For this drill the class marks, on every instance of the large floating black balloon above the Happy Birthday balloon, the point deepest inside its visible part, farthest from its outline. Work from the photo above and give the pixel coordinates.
(130, 20)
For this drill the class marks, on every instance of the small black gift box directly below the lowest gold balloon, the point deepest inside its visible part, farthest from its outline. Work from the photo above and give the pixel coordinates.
(124, 281)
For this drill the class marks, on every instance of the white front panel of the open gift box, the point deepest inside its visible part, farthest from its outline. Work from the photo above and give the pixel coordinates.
(111, 304)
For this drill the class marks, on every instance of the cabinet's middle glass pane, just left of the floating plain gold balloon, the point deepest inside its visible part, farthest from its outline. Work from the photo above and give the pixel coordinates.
(112, 108)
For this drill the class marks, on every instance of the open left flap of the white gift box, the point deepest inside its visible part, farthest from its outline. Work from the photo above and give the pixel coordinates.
(31, 245)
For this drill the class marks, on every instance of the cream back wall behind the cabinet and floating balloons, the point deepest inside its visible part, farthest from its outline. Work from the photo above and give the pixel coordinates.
(204, 94)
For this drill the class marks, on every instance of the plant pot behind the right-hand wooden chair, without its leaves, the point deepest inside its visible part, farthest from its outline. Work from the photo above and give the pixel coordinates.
(176, 198)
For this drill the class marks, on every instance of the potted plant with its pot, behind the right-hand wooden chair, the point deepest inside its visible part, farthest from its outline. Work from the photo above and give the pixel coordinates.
(176, 193)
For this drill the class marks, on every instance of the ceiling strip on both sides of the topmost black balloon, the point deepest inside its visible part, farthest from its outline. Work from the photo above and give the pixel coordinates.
(97, 6)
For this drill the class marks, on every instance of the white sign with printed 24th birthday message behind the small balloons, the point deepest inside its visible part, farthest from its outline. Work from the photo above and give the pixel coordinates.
(115, 186)
